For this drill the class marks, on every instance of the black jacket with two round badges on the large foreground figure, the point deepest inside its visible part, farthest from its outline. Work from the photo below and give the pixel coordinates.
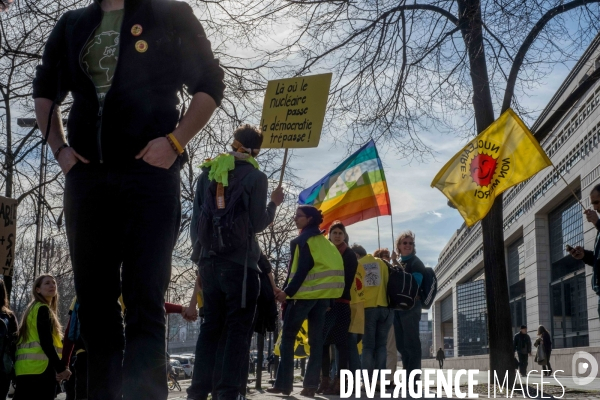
(141, 104)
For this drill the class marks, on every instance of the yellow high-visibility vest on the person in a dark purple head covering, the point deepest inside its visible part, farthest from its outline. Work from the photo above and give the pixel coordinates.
(325, 280)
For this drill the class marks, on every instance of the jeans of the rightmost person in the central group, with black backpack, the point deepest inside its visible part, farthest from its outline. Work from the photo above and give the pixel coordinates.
(408, 342)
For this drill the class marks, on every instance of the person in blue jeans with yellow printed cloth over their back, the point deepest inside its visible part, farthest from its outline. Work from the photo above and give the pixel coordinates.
(378, 317)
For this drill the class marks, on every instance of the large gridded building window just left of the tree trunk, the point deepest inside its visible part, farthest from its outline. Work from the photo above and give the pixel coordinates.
(472, 319)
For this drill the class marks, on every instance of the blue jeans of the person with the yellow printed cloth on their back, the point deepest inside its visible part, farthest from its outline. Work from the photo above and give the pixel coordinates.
(378, 321)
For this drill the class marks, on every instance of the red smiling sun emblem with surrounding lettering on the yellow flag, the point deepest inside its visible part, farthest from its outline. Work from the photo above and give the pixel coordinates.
(481, 162)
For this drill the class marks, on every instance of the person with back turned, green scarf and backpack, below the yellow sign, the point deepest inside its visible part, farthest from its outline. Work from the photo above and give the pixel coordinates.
(227, 324)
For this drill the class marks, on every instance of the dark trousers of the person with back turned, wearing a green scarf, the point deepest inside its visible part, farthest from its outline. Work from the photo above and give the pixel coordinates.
(224, 319)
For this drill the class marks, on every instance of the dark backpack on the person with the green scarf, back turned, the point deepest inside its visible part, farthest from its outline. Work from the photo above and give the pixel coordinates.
(222, 231)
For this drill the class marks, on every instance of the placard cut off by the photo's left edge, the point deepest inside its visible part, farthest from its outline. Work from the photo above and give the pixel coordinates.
(8, 234)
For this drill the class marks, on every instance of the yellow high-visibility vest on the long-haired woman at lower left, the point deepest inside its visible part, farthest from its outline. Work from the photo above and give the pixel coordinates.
(30, 358)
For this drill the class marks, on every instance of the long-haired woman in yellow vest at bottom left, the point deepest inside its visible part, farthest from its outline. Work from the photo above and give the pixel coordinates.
(37, 363)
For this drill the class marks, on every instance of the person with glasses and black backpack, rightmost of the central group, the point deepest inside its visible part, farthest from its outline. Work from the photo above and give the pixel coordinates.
(406, 323)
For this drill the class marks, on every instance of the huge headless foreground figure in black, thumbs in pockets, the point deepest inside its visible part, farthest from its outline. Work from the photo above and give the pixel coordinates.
(125, 146)
